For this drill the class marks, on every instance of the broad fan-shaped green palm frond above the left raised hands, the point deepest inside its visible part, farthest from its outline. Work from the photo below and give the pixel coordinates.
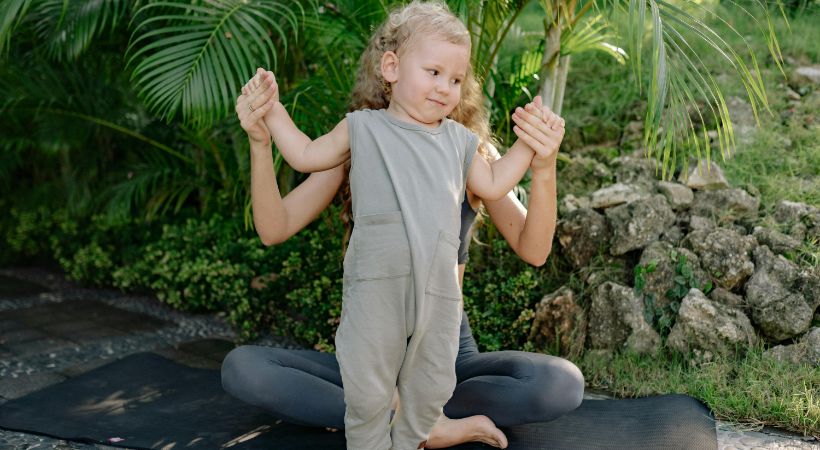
(194, 59)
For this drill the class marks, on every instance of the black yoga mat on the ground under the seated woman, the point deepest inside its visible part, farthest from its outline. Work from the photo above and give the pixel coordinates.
(151, 402)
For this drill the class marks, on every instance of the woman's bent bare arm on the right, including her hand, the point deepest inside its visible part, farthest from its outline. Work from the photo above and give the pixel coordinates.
(530, 233)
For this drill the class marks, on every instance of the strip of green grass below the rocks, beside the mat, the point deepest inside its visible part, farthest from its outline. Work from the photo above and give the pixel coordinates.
(748, 389)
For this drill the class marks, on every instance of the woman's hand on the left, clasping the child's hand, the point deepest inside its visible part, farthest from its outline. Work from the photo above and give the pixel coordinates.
(259, 94)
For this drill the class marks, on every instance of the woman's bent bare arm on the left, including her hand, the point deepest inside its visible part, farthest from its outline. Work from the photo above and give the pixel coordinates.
(276, 219)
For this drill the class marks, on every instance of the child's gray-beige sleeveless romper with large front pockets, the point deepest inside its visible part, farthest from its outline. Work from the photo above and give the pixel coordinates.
(400, 311)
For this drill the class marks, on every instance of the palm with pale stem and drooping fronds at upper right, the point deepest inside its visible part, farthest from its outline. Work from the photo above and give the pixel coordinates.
(679, 79)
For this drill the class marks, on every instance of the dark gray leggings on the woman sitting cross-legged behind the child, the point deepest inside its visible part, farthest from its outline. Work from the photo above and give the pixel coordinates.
(304, 387)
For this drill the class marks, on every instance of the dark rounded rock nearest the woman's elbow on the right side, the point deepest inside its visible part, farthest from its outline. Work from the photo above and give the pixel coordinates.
(583, 233)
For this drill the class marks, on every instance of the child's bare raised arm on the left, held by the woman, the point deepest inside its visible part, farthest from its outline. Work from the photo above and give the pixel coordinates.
(302, 153)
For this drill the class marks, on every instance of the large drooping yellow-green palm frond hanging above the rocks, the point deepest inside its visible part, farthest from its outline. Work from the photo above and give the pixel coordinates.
(680, 78)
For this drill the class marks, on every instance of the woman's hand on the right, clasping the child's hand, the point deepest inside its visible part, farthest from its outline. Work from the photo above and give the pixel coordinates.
(542, 130)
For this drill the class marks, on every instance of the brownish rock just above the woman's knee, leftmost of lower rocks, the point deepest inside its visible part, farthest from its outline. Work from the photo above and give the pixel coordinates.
(559, 324)
